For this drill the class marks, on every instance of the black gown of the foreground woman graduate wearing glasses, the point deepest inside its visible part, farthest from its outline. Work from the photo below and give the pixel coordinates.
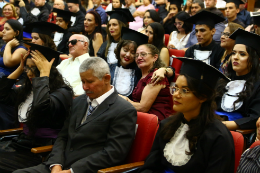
(214, 153)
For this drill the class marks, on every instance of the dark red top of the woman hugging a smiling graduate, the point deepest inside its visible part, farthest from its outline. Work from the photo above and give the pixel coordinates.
(161, 106)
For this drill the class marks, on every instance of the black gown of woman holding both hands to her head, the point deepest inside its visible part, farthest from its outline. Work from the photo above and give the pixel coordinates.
(53, 109)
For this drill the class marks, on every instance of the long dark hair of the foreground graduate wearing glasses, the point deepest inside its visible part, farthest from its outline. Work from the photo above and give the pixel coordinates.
(197, 126)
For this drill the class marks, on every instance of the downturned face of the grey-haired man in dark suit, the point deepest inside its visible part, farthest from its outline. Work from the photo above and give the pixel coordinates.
(94, 87)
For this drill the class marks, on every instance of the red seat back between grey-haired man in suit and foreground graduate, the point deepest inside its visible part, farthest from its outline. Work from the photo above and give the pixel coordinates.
(146, 130)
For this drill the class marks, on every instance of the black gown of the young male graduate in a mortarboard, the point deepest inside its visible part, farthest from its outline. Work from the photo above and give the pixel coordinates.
(214, 57)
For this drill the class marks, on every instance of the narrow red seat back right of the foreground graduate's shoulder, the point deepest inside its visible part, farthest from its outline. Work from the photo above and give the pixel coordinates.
(239, 147)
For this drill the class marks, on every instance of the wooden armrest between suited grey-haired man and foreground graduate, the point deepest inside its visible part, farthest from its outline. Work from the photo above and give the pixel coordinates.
(121, 168)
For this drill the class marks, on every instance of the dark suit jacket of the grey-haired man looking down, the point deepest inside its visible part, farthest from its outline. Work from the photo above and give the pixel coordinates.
(102, 141)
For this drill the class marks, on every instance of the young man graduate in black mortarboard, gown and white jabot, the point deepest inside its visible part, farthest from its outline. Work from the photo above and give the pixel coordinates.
(207, 50)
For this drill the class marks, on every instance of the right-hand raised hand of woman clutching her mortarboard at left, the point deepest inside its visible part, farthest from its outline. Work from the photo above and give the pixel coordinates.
(43, 65)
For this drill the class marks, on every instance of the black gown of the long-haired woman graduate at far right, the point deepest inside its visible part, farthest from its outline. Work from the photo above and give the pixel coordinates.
(250, 110)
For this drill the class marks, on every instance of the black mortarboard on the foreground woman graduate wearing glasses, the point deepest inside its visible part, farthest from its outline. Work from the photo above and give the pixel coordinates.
(201, 71)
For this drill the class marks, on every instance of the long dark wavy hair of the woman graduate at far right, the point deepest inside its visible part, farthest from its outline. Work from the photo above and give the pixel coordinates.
(253, 68)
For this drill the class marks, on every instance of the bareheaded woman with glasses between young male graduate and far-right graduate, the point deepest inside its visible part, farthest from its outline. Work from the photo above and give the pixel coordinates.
(228, 44)
